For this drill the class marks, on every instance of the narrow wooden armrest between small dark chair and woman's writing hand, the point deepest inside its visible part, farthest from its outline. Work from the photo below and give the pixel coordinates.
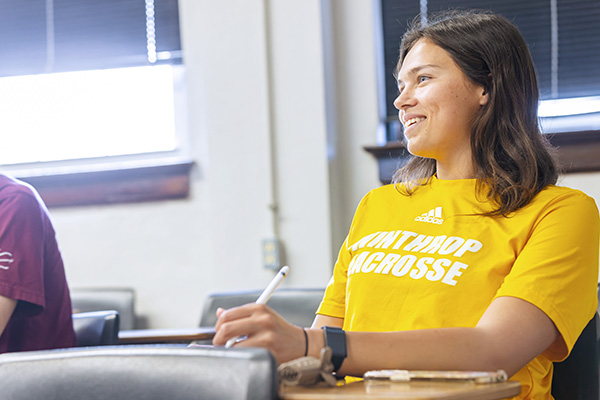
(141, 336)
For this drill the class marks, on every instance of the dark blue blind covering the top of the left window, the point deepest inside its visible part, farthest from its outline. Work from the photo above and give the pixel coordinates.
(44, 36)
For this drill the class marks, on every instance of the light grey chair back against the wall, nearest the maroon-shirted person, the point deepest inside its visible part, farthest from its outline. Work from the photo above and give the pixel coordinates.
(121, 299)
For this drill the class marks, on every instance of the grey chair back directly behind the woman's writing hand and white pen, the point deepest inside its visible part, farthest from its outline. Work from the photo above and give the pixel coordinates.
(297, 306)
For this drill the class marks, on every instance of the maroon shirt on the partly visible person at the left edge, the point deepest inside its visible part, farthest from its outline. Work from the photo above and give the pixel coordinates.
(31, 272)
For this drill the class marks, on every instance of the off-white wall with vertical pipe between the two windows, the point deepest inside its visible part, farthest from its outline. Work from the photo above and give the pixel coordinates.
(298, 77)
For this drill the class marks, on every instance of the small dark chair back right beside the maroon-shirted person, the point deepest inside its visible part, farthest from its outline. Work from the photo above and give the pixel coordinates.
(96, 328)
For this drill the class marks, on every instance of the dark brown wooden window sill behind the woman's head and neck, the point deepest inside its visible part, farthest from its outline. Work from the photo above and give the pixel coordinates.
(577, 152)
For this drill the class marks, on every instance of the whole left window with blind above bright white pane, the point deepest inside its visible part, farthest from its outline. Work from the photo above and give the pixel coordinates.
(89, 85)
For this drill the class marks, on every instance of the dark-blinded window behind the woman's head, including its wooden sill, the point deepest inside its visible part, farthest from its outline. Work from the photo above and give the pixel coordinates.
(564, 40)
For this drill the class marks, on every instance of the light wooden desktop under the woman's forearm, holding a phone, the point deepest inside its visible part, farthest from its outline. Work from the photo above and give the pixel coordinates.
(418, 390)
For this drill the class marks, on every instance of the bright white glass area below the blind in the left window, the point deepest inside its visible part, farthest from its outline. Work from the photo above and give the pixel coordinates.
(87, 114)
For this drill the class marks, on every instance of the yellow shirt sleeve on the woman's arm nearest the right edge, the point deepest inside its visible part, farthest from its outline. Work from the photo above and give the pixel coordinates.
(557, 270)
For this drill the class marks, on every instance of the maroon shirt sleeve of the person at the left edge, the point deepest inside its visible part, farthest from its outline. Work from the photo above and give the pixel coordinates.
(21, 249)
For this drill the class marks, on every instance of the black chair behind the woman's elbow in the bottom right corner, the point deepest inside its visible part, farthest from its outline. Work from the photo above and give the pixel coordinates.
(576, 378)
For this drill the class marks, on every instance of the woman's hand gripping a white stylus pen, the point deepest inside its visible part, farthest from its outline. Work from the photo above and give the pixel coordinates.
(262, 327)
